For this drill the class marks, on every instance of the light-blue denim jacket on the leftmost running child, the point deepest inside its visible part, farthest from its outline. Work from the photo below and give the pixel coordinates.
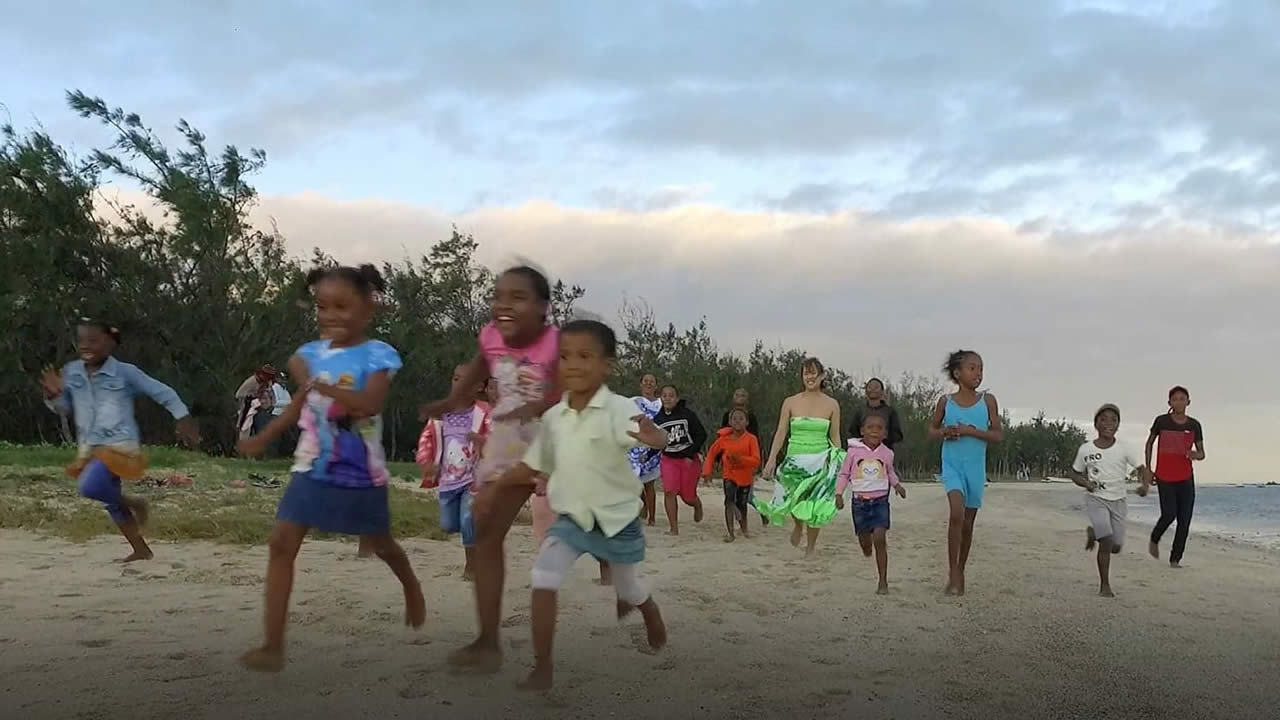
(103, 403)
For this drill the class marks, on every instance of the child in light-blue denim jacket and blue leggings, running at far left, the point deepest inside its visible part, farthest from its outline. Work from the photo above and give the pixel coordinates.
(99, 391)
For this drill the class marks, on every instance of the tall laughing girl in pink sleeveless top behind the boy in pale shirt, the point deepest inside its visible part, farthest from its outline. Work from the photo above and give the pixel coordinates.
(520, 350)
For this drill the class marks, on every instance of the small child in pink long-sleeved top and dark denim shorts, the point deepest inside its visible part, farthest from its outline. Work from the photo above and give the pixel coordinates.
(870, 468)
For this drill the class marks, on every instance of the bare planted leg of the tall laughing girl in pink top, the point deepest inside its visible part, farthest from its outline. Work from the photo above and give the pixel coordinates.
(486, 653)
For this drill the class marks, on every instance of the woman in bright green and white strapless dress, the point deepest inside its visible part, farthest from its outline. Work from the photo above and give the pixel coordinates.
(804, 485)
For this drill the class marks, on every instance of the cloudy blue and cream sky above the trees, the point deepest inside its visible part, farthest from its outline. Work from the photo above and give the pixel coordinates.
(1089, 194)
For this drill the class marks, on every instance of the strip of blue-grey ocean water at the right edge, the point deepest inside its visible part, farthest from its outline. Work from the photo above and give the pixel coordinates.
(1249, 514)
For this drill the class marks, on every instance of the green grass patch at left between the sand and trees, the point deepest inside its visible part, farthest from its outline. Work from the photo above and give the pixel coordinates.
(38, 495)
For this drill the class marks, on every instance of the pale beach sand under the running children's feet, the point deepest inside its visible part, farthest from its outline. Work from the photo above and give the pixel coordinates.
(756, 632)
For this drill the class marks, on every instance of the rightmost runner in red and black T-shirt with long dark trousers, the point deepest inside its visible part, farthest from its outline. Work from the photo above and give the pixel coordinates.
(1181, 443)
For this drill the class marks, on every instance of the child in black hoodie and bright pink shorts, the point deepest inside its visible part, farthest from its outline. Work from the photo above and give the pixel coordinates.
(682, 461)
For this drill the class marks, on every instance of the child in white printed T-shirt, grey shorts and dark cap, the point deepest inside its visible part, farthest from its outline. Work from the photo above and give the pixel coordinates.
(1101, 468)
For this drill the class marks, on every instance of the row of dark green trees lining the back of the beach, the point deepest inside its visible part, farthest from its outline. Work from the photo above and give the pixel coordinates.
(204, 299)
